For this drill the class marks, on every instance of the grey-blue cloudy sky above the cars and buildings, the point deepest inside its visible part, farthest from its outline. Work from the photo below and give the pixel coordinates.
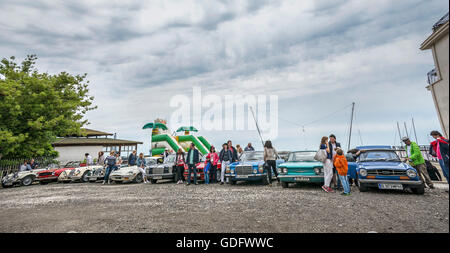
(317, 56)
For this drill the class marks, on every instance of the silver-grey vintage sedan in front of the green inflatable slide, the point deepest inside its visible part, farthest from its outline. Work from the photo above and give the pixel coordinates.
(165, 170)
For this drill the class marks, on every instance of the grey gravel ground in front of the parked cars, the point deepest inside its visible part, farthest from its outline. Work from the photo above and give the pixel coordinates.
(246, 207)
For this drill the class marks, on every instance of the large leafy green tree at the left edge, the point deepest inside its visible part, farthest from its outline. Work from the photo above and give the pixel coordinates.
(36, 107)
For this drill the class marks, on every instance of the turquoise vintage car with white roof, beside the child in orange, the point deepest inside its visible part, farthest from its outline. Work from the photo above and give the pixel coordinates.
(300, 167)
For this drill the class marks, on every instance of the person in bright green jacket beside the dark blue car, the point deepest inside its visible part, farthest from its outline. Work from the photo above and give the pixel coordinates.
(415, 158)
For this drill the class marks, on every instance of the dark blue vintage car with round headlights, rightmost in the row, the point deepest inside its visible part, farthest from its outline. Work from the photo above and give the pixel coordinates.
(382, 168)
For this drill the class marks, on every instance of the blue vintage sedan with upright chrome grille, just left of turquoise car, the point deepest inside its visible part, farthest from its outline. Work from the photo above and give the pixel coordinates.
(251, 167)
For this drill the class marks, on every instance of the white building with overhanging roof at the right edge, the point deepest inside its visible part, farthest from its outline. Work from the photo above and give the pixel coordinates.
(438, 78)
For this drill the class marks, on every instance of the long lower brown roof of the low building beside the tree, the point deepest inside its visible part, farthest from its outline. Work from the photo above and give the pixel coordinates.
(93, 142)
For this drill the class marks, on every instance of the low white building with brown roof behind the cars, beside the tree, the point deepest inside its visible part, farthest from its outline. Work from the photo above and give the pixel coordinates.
(73, 148)
